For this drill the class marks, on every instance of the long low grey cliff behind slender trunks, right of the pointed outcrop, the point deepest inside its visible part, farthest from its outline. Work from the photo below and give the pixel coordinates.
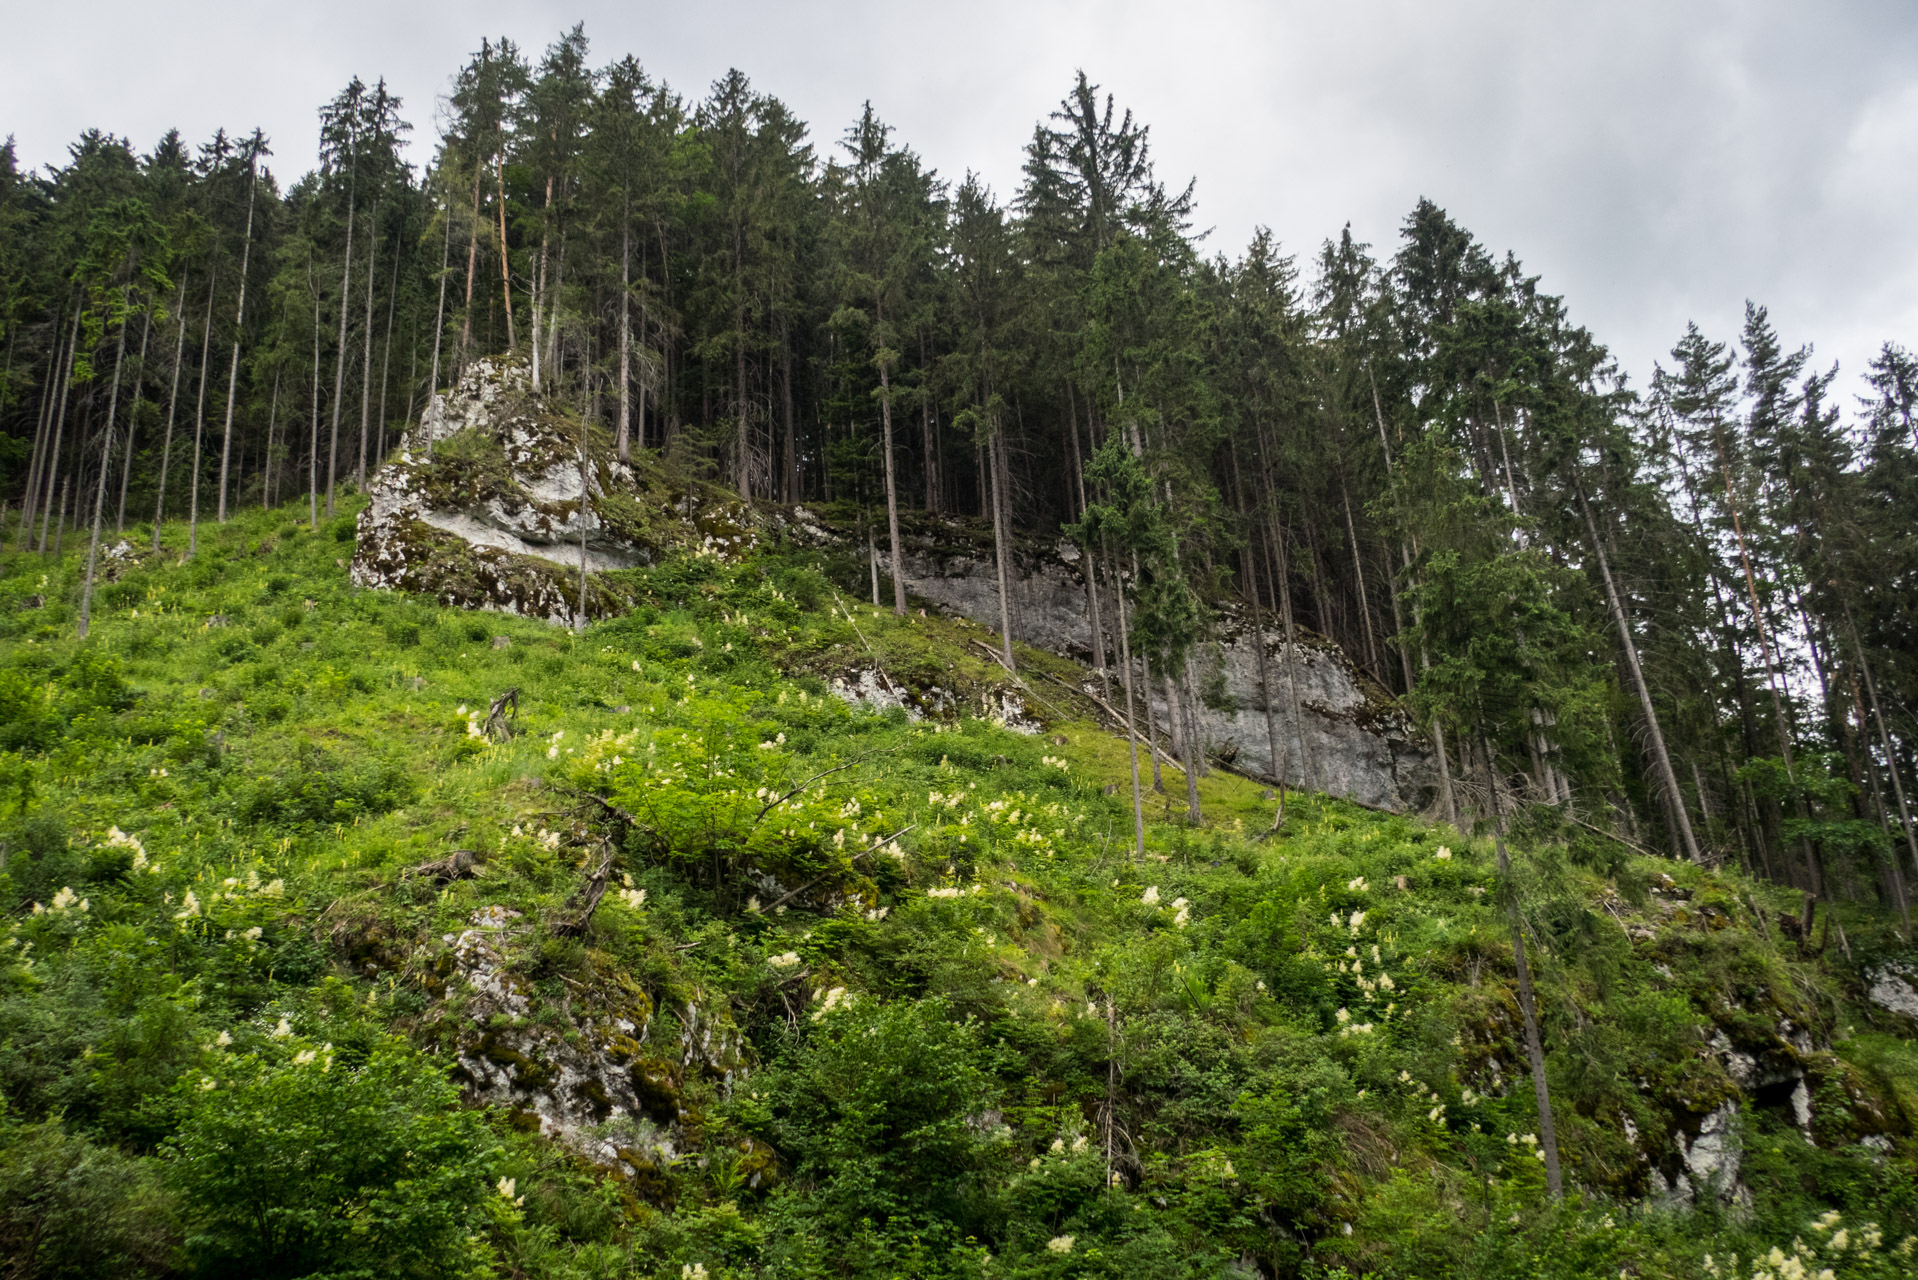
(1347, 742)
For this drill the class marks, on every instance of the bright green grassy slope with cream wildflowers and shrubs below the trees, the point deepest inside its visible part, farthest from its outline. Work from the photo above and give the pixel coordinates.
(753, 982)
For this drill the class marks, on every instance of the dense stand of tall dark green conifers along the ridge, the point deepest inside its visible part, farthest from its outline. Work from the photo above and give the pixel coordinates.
(1681, 615)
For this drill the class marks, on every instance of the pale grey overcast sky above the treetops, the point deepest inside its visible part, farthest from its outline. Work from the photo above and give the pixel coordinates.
(1654, 160)
